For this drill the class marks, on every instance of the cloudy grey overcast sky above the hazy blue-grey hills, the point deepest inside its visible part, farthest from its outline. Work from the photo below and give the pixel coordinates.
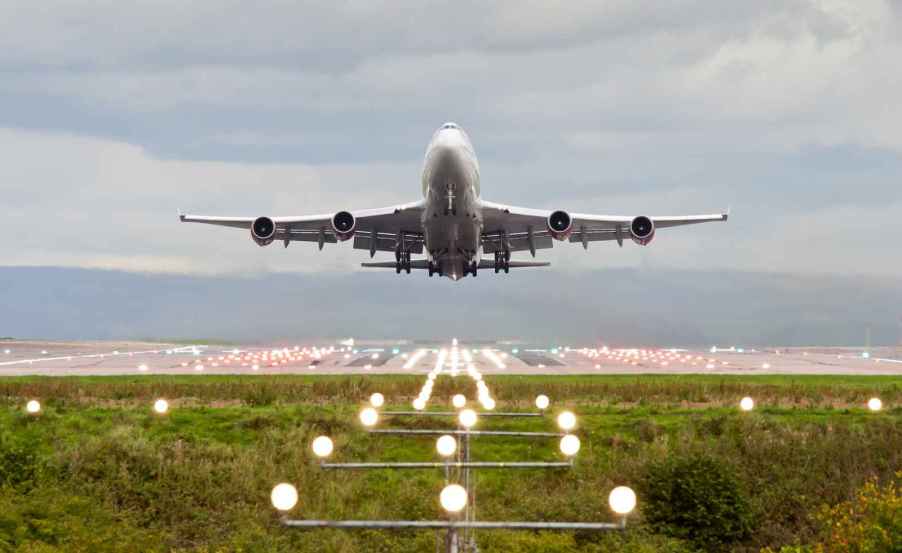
(114, 115)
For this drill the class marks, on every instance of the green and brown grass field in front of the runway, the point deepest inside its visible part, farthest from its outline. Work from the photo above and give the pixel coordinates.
(97, 471)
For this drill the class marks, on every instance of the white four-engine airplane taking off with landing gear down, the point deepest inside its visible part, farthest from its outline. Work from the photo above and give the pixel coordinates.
(452, 224)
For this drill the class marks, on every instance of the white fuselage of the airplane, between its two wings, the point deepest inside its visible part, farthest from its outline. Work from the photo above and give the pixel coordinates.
(452, 220)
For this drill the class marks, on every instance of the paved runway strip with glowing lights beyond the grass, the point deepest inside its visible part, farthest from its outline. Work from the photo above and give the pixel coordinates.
(19, 358)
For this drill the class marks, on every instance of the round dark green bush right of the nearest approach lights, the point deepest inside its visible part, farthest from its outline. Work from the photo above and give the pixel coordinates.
(696, 498)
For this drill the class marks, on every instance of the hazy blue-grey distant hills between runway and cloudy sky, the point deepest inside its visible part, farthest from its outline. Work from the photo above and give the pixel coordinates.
(618, 306)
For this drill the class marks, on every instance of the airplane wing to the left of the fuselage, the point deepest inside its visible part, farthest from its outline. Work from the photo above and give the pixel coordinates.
(375, 229)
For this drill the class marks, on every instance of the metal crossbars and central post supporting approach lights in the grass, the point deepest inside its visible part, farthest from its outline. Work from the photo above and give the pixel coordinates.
(460, 531)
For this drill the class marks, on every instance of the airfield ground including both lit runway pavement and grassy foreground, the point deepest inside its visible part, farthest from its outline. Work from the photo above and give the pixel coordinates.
(98, 470)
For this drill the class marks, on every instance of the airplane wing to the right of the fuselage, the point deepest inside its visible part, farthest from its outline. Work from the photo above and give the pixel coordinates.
(527, 229)
